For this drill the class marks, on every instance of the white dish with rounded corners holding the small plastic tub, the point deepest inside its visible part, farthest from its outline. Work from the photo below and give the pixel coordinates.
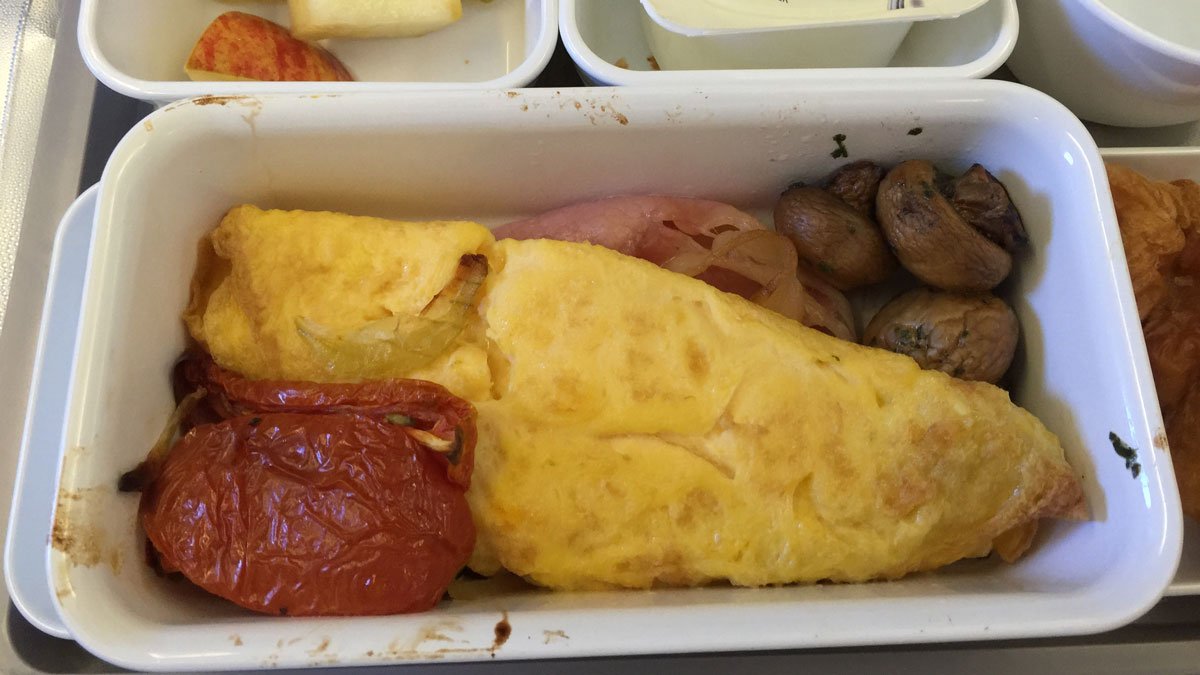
(609, 46)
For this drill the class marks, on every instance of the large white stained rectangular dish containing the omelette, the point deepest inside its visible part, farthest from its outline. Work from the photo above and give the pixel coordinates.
(496, 156)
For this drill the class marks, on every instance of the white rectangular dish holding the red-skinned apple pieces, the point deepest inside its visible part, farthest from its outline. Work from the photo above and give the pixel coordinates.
(139, 49)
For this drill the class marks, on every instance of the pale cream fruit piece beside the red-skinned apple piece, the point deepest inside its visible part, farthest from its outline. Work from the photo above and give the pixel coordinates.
(317, 20)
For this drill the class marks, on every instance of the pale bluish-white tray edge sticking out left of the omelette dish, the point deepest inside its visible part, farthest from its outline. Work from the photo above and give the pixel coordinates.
(41, 443)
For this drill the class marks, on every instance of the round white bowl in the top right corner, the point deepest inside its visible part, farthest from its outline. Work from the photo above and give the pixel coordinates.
(1125, 63)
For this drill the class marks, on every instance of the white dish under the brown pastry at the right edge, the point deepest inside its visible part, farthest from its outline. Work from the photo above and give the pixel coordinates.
(1171, 164)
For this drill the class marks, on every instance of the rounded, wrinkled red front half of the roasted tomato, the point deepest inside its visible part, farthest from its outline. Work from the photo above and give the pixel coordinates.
(310, 516)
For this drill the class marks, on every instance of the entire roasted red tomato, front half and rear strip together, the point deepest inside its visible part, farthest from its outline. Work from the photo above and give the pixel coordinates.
(314, 500)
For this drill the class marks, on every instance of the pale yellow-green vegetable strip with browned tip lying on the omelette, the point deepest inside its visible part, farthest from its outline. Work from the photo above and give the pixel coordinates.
(399, 344)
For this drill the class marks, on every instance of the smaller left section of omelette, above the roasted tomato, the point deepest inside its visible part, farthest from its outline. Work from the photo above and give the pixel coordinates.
(265, 274)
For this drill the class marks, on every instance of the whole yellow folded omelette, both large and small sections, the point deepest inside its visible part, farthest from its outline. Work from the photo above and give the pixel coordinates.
(640, 428)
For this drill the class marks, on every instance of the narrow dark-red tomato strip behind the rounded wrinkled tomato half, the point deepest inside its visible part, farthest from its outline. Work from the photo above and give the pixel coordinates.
(430, 407)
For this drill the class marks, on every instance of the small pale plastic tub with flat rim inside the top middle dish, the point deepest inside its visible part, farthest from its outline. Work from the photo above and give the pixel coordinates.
(766, 34)
